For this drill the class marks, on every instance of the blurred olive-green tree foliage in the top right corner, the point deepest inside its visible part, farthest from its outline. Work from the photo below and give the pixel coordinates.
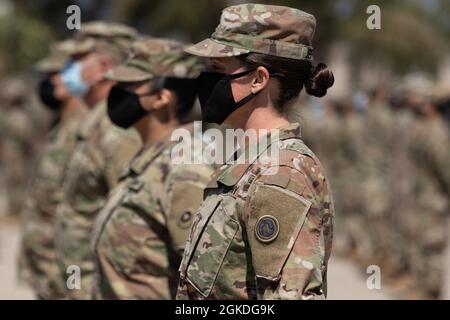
(409, 39)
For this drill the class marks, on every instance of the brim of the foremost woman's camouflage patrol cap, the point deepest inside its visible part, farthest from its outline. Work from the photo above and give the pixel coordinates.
(214, 49)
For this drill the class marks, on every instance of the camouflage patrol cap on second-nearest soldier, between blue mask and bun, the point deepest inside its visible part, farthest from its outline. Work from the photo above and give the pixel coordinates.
(150, 58)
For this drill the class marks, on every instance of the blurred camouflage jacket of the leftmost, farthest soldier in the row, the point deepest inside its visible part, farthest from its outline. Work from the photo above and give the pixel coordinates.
(37, 258)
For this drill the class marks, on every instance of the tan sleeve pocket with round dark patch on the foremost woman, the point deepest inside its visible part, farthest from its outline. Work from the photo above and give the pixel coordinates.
(275, 219)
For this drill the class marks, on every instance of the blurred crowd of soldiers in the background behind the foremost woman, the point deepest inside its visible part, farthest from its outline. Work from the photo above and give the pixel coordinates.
(388, 166)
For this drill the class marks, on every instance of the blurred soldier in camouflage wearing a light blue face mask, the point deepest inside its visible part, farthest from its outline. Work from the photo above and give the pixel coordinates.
(101, 150)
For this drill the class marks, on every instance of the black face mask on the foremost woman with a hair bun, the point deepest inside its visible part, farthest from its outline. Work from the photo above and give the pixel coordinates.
(216, 96)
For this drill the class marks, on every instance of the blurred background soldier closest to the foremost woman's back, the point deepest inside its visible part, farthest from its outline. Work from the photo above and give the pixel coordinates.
(337, 140)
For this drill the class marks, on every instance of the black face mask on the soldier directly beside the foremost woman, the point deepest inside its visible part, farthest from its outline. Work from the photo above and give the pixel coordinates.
(124, 108)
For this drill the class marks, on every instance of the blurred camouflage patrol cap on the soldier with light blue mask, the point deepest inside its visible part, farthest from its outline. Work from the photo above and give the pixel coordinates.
(102, 36)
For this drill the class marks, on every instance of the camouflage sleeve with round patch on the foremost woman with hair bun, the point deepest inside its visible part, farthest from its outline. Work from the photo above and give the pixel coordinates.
(289, 227)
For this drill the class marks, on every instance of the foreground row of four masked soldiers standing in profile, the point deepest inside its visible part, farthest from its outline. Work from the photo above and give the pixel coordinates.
(106, 198)
